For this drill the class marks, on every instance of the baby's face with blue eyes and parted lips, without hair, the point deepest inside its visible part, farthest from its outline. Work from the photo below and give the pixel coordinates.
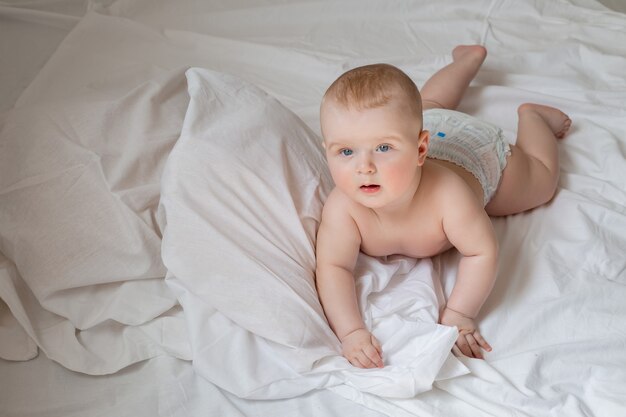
(374, 155)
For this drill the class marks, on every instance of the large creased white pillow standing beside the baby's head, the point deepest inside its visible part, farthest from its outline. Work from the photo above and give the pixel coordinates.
(242, 194)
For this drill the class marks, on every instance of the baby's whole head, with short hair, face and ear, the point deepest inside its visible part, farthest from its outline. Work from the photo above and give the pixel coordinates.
(371, 119)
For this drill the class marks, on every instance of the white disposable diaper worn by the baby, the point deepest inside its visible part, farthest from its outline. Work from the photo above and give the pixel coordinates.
(473, 144)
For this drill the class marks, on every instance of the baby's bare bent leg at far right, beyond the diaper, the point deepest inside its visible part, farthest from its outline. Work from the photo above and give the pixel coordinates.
(532, 171)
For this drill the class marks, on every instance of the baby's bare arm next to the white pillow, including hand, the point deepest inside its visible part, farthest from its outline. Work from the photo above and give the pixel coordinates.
(338, 244)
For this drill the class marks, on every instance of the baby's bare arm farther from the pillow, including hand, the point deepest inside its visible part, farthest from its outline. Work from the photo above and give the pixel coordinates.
(469, 229)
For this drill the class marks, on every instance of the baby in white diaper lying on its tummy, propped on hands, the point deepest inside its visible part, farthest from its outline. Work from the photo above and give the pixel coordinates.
(418, 184)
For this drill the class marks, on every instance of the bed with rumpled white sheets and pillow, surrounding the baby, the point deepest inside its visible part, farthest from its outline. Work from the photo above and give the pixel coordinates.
(161, 182)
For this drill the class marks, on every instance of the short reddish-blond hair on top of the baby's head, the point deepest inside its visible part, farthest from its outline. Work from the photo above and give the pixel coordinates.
(372, 86)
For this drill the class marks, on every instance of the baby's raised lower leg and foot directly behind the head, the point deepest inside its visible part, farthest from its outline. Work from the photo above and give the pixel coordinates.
(446, 87)
